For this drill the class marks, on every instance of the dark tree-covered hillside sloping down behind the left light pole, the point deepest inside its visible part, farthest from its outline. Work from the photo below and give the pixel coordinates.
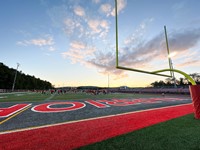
(23, 81)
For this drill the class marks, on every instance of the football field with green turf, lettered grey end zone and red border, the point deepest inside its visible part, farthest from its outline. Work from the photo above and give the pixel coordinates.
(33, 113)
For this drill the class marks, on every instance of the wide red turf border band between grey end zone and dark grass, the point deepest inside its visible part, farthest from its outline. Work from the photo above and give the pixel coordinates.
(76, 134)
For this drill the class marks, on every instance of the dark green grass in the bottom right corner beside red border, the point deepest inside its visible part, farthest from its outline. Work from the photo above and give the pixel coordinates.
(178, 134)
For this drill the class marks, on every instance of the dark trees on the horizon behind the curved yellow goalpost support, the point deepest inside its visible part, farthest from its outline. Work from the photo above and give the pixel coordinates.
(181, 82)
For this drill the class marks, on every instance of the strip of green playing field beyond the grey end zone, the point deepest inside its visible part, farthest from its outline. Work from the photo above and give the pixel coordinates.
(28, 96)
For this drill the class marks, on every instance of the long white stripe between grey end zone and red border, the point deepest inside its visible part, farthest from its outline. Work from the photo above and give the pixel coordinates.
(82, 120)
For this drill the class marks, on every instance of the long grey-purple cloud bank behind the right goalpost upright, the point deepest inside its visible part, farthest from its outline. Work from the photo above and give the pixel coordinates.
(155, 49)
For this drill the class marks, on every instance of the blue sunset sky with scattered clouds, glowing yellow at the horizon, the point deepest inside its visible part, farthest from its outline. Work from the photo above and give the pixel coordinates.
(72, 42)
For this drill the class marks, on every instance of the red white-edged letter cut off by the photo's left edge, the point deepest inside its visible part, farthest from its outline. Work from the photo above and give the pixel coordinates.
(6, 112)
